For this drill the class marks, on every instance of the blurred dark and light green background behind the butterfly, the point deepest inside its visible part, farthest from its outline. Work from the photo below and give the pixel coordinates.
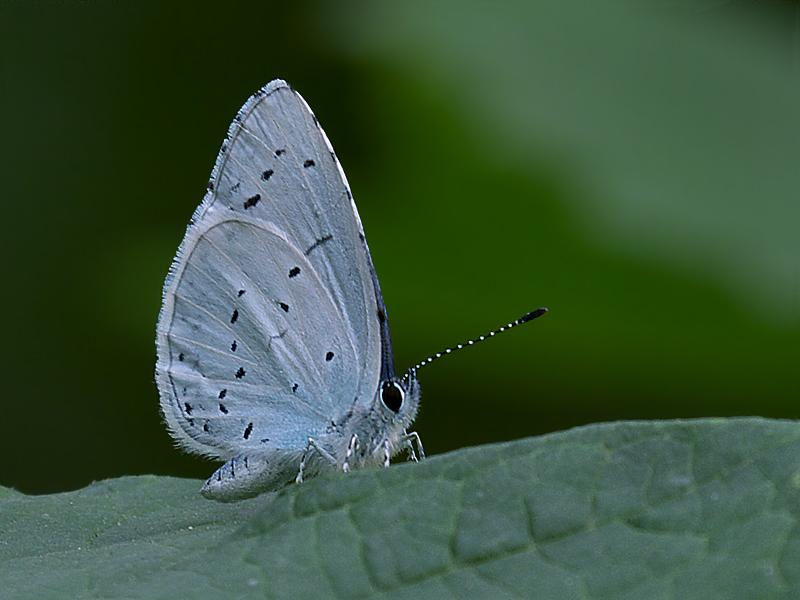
(633, 166)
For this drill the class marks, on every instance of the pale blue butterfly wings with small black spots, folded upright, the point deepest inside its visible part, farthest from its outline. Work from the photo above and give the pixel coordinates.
(268, 330)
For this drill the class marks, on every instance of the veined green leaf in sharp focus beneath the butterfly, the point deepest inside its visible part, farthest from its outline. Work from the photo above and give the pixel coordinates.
(681, 509)
